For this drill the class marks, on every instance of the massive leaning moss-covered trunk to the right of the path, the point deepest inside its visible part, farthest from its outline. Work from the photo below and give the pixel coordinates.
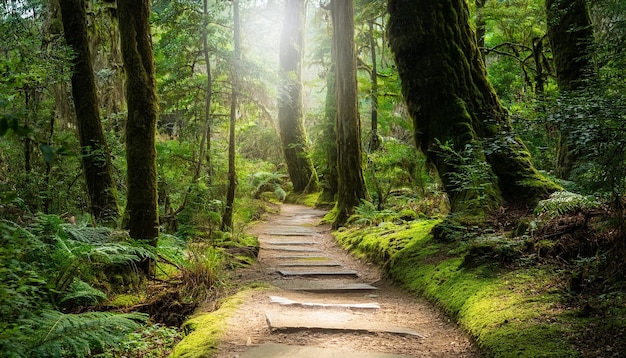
(454, 107)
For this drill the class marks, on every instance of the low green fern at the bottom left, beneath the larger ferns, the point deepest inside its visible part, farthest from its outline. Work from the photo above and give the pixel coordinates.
(58, 334)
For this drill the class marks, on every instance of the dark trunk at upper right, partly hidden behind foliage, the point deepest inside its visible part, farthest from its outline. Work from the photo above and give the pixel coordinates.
(571, 35)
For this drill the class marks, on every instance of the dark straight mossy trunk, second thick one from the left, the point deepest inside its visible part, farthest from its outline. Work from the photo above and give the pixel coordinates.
(141, 216)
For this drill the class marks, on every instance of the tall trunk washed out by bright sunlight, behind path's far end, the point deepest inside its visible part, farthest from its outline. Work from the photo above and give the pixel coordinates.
(290, 117)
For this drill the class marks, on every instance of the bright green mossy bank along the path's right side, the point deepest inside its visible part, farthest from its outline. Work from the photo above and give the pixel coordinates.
(510, 310)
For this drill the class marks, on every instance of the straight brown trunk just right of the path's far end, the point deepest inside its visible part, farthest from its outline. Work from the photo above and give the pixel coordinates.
(351, 188)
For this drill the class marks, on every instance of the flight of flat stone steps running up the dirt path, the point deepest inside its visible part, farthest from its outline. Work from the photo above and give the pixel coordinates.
(337, 298)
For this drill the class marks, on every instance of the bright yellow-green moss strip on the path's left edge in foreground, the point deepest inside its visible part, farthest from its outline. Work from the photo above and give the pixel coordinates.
(205, 330)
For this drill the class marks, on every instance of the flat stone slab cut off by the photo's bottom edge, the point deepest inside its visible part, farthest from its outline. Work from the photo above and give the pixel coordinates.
(285, 351)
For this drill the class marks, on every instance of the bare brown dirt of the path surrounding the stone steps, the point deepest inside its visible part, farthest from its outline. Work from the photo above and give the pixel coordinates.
(248, 326)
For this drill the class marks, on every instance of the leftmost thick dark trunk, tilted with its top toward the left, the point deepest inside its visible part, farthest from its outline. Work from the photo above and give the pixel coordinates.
(95, 153)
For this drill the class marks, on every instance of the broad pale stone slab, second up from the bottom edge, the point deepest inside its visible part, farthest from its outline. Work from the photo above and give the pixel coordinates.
(332, 320)
